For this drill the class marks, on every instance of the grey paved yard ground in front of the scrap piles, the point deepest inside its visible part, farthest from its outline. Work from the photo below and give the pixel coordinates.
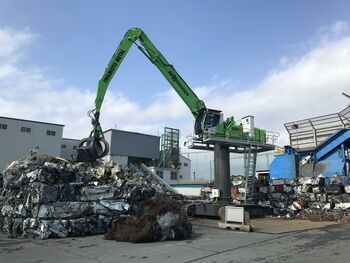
(275, 240)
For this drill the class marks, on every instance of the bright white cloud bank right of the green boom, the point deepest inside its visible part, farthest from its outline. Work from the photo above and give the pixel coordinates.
(310, 86)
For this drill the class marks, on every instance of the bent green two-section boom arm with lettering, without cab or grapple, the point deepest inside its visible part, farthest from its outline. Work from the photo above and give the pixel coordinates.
(136, 35)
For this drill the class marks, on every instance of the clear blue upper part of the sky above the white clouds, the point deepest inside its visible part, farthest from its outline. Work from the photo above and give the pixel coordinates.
(241, 40)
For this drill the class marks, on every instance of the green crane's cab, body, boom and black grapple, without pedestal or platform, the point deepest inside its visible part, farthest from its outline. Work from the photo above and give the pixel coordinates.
(208, 122)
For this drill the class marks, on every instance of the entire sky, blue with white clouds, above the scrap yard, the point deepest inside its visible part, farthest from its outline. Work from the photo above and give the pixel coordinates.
(238, 56)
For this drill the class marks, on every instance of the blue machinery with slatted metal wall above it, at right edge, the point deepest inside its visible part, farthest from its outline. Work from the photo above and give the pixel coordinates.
(319, 146)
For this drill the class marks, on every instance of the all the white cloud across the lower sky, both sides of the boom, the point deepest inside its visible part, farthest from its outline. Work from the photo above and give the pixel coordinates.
(303, 87)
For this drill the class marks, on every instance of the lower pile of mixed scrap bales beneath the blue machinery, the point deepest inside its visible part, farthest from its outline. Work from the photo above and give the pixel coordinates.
(313, 198)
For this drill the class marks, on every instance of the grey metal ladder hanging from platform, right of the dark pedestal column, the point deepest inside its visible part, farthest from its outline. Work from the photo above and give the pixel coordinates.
(250, 155)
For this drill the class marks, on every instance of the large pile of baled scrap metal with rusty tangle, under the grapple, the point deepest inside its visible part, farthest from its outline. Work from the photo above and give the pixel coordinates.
(45, 197)
